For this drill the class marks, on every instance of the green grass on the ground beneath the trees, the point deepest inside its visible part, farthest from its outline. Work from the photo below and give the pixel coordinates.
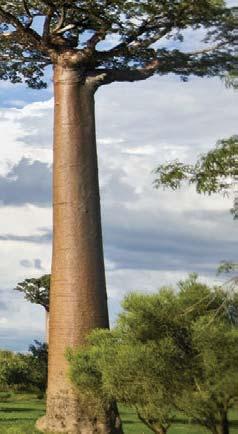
(18, 414)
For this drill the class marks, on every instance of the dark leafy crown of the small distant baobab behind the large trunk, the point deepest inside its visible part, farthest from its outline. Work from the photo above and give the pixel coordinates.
(36, 290)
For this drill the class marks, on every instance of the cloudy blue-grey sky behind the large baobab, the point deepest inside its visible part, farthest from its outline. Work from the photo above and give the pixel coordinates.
(151, 237)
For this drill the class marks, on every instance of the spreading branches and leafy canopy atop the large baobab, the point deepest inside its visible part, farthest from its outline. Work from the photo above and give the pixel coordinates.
(34, 34)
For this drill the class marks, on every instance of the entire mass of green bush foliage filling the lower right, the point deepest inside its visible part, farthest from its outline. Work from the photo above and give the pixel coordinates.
(169, 351)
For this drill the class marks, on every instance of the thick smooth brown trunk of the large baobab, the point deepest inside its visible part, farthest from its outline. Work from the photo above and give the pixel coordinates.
(78, 301)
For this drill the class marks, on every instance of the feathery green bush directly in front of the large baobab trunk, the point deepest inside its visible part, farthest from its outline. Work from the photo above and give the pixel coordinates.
(144, 362)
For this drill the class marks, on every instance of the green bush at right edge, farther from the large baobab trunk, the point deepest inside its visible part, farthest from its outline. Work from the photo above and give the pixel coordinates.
(211, 314)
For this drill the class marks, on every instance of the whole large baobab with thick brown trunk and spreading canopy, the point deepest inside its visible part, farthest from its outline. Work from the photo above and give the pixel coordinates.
(90, 44)
